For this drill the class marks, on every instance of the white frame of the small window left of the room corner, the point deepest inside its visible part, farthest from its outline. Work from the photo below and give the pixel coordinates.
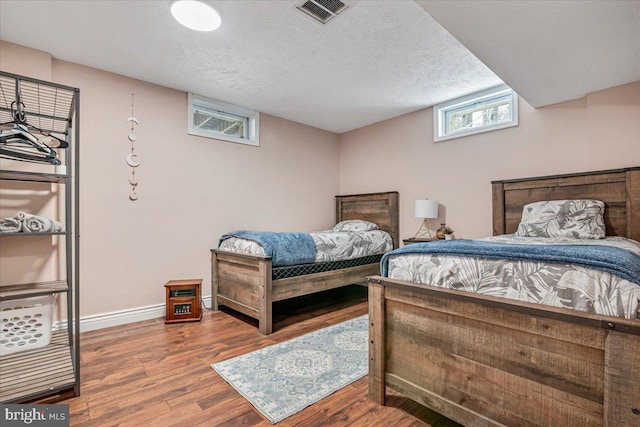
(252, 119)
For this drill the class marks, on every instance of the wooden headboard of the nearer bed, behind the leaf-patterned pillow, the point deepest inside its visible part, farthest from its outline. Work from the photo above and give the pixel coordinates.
(619, 189)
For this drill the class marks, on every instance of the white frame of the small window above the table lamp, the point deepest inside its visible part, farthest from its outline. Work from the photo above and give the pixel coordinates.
(440, 112)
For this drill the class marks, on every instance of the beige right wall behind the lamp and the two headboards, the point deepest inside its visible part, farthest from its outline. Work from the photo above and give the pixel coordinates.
(600, 131)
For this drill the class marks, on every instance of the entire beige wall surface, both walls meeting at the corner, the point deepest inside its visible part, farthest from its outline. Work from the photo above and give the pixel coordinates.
(194, 189)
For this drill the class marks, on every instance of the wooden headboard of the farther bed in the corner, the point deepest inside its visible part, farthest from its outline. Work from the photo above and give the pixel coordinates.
(379, 208)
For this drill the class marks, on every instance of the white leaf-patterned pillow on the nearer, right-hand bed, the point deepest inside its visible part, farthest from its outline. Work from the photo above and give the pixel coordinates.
(577, 219)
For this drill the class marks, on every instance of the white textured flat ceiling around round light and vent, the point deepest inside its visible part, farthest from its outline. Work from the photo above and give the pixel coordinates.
(377, 60)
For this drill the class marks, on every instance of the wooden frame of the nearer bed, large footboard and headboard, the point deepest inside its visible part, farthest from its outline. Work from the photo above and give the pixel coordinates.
(489, 361)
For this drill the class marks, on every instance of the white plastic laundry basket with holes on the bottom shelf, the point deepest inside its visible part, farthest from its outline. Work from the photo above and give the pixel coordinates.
(25, 323)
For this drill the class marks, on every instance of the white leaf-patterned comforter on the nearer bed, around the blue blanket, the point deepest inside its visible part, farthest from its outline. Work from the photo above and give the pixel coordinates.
(557, 285)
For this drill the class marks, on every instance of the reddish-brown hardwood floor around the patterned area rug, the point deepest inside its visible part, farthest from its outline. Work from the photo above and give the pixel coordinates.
(149, 373)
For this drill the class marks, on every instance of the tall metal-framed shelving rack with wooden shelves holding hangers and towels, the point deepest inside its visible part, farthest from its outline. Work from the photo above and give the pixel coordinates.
(51, 108)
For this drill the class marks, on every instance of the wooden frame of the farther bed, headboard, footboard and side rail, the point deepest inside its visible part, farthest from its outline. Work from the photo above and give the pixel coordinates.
(244, 282)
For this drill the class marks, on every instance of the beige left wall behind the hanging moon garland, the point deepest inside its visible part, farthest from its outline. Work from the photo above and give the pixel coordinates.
(192, 189)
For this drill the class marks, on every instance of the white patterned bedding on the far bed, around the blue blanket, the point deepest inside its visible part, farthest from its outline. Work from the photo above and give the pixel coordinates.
(330, 245)
